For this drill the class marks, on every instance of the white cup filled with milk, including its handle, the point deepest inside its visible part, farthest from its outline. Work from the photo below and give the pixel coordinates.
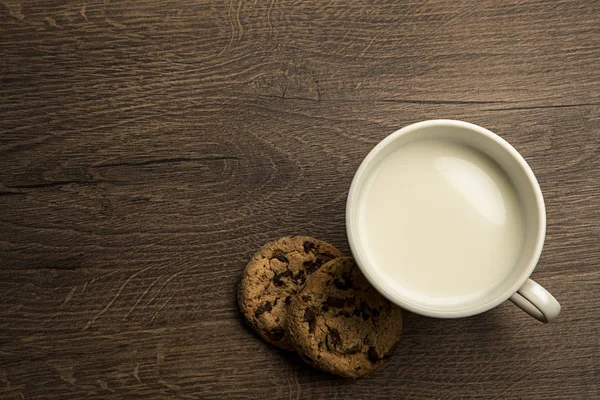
(447, 220)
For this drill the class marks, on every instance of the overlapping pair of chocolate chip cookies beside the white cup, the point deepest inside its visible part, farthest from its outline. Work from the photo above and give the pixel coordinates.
(300, 293)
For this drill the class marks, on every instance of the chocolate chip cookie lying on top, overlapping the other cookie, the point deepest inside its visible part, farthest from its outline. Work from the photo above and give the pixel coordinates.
(339, 323)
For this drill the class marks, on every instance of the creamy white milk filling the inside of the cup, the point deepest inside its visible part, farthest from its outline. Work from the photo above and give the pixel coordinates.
(441, 221)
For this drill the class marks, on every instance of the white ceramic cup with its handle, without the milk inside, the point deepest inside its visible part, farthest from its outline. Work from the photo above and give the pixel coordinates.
(524, 292)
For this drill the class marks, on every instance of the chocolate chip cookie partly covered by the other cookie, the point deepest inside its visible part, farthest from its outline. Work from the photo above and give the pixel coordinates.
(271, 279)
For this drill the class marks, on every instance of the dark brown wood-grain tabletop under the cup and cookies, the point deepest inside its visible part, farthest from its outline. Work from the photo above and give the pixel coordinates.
(148, 148)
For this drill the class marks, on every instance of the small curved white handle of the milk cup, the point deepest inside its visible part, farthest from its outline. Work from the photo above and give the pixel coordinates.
(536, 301)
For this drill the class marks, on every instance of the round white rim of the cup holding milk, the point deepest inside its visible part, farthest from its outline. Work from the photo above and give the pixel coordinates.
(368, 269)
